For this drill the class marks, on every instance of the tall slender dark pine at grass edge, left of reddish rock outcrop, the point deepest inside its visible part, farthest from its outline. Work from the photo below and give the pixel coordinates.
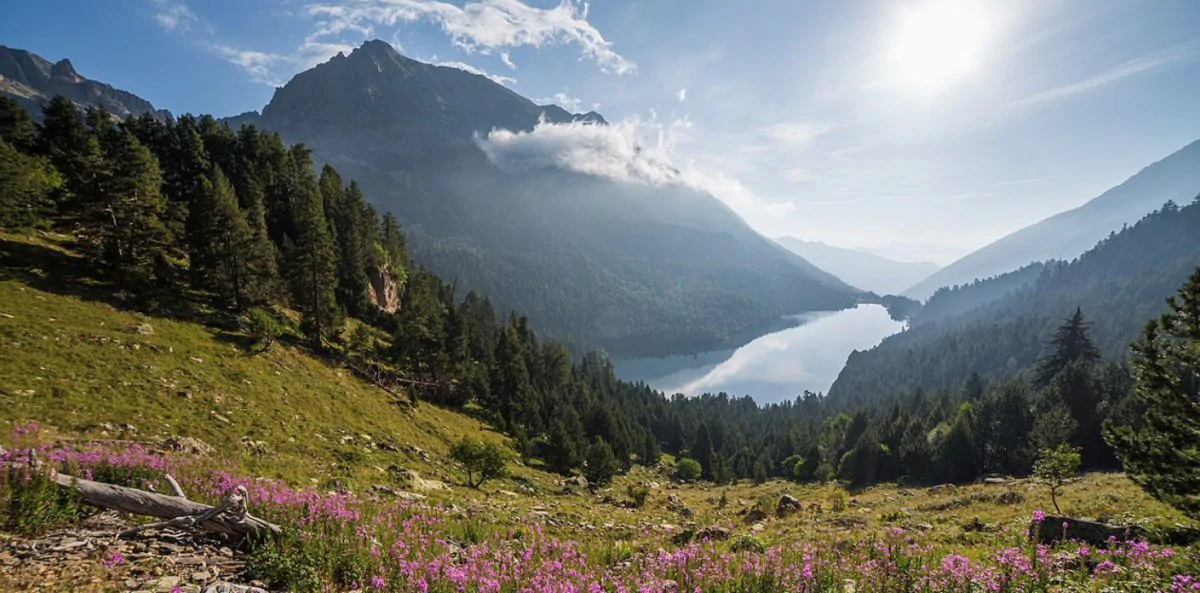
(313, 262)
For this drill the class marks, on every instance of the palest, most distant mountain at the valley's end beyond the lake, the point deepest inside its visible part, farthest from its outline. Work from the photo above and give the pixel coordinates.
(860, 268)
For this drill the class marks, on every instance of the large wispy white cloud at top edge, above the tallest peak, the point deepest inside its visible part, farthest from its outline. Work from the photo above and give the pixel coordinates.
(482, 26)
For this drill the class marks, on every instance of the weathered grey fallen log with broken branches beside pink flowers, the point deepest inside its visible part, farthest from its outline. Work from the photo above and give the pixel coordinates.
(231, 518)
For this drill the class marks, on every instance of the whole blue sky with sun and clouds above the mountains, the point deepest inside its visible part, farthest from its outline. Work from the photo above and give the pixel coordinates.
(914, 129)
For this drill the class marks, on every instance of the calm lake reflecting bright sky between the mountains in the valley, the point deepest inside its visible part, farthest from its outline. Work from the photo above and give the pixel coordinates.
(777, 367)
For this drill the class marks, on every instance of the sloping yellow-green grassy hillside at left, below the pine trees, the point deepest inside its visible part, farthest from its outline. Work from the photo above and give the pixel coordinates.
(74, 360)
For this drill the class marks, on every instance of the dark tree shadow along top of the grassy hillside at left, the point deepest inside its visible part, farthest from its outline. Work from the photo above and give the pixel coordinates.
(53, 271)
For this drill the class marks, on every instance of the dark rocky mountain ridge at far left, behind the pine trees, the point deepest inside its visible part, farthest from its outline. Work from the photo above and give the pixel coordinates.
(33, 81)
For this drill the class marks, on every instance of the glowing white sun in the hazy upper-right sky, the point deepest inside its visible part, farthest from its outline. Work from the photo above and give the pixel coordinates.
(939, 45)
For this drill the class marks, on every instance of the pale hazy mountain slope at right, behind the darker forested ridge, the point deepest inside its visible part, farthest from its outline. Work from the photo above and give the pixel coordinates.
(1069, 235)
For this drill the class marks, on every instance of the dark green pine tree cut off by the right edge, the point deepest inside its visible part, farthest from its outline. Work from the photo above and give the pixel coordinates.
(1162, 452)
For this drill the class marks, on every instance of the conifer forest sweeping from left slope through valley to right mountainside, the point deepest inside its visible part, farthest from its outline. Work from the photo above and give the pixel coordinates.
(191, 215)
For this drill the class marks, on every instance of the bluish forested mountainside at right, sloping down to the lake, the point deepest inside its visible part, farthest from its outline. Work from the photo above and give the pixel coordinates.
(1120, 284)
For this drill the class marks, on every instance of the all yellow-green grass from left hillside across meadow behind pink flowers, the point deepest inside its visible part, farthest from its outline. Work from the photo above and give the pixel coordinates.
(77, 361)
